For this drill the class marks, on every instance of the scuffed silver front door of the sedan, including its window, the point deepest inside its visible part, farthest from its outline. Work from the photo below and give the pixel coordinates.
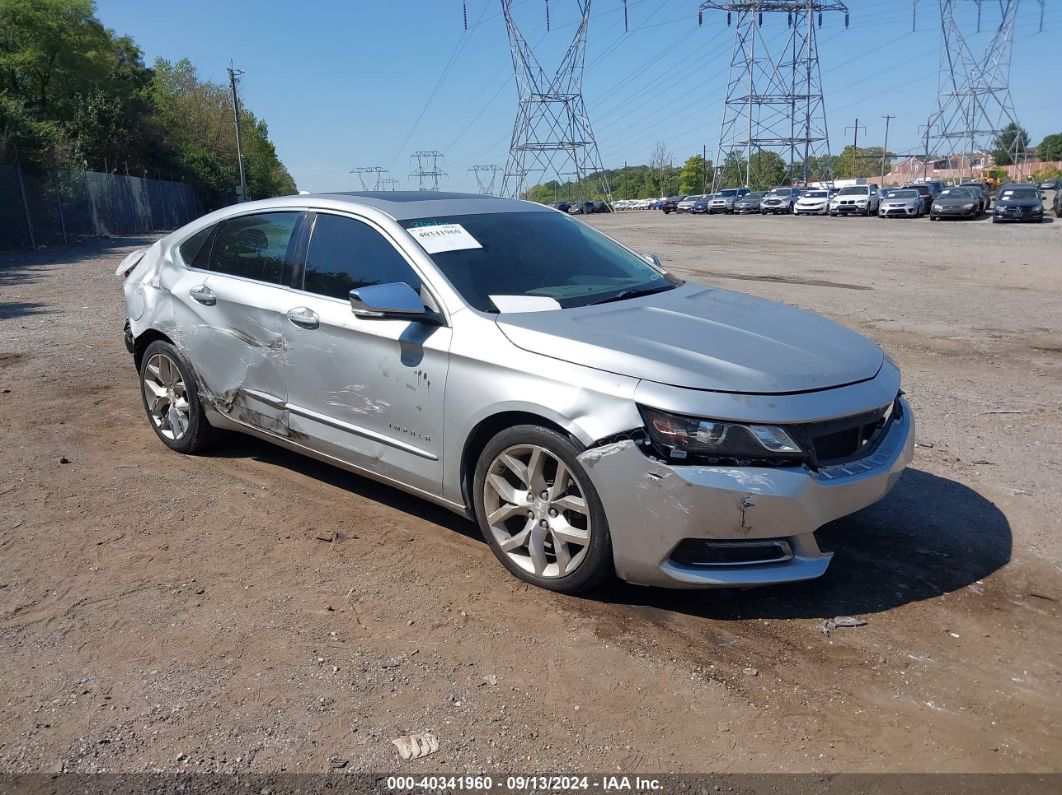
(368, 392)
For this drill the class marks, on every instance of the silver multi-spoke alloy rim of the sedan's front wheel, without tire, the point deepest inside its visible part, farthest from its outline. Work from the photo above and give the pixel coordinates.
(537, 511)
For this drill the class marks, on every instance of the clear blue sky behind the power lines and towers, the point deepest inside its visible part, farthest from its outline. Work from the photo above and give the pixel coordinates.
(356, 83)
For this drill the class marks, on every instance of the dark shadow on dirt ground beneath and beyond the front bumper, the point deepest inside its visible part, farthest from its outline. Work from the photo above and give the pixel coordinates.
(931, 537)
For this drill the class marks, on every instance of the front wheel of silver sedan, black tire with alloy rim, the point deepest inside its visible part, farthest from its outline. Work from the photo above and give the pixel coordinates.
(592, 561)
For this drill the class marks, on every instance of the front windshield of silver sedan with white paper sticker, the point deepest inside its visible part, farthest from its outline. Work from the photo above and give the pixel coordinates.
(536, 254)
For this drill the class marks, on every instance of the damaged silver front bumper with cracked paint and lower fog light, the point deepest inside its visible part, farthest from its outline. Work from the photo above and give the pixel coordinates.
(655, 510)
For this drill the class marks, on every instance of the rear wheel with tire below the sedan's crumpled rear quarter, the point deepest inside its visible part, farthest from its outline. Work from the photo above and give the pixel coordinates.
(168, 377)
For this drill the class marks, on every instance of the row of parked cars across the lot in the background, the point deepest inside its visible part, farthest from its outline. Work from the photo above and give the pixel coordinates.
(1013, 202)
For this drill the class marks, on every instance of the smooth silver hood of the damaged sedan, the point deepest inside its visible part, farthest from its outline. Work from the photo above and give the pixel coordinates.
(704, 339)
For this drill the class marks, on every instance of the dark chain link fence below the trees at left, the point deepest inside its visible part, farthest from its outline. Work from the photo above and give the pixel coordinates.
(62, 206)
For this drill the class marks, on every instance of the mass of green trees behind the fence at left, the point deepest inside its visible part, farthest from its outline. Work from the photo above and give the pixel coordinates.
(75, 95)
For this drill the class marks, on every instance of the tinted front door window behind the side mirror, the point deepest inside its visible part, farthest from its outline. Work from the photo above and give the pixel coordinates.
(346, 255)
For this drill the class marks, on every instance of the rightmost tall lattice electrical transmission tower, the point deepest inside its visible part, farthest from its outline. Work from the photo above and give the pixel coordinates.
(974, 103)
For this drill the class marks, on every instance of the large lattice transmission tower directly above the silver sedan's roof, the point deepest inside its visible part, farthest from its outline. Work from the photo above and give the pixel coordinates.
(552, 134)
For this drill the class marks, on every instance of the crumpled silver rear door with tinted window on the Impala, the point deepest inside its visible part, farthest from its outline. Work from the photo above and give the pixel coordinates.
(241, 360)
